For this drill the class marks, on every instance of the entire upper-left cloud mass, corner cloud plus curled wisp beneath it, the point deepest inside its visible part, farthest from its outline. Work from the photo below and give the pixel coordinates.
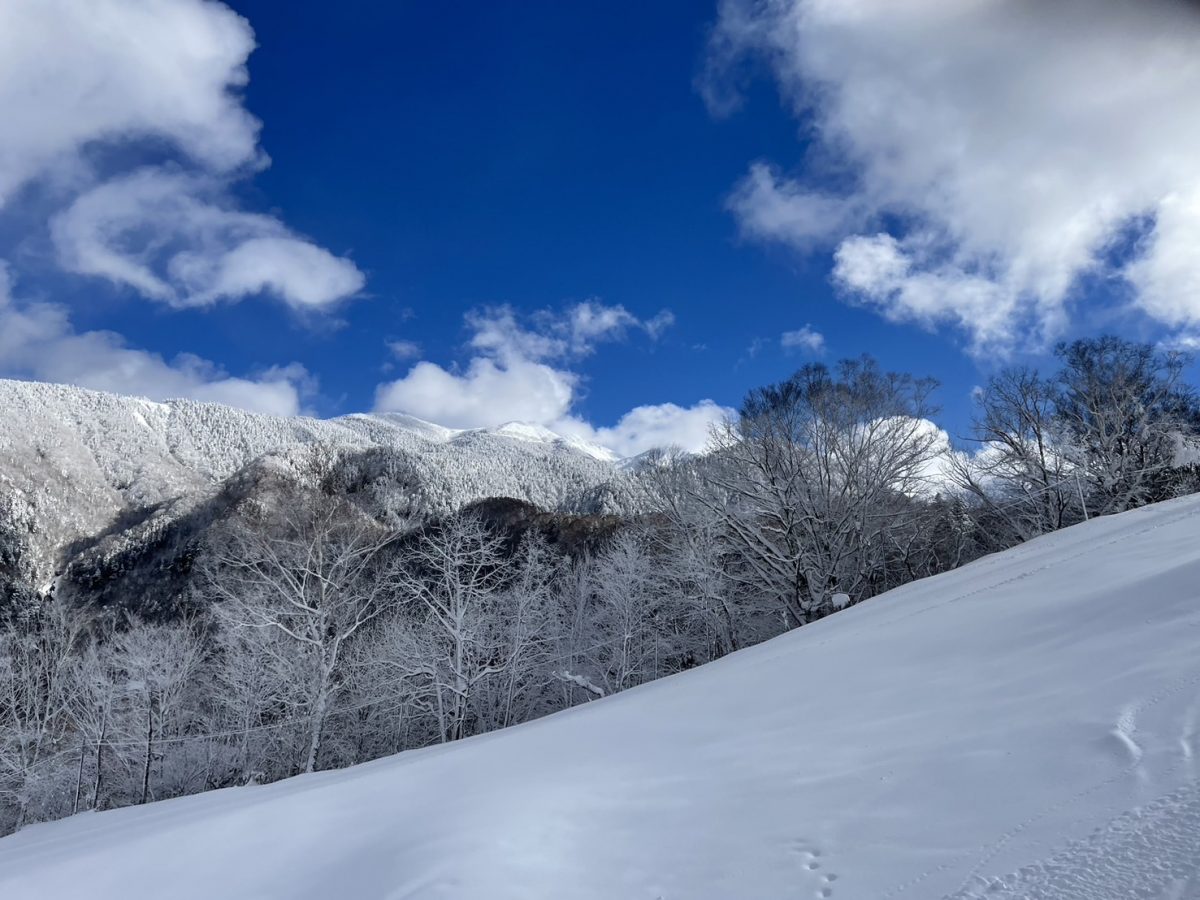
(167, 75)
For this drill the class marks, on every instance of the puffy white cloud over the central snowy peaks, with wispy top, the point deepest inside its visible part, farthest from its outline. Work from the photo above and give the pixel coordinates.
(520, 373)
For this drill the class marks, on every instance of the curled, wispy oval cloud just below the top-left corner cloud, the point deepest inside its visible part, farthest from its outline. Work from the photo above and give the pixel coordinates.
(199, 250)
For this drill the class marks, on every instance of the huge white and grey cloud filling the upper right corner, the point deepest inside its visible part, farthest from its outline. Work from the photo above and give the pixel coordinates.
(1012, 148)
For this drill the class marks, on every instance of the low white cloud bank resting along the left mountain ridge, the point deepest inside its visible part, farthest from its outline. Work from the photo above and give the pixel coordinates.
(39, 343)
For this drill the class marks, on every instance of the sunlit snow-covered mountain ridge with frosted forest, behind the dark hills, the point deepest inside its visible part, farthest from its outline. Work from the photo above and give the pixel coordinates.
(77, 464)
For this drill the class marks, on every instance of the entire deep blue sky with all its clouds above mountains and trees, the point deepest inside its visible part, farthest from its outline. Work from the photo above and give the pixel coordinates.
(454, 188)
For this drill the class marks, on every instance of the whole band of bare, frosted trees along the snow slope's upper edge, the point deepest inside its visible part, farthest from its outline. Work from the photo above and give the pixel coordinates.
(316, 633)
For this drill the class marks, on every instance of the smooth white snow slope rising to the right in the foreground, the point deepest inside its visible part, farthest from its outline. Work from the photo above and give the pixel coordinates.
(1028, 727)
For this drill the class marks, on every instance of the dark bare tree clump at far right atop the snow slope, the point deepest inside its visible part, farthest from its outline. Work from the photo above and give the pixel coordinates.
(1105, 434)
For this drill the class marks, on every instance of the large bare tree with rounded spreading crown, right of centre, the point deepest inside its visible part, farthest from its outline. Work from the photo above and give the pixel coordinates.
(805, 481)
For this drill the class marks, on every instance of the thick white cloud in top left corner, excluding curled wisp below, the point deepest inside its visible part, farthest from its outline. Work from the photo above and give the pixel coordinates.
(115, 70)
